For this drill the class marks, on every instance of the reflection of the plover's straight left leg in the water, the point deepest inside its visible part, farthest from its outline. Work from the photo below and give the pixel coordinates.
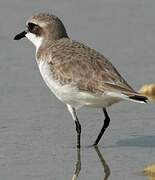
(78, 165)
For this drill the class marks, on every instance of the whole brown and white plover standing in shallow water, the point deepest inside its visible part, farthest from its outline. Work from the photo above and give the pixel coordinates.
(77, 74)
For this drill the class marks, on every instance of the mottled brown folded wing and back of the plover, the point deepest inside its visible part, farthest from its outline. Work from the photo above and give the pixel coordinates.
(73, 62)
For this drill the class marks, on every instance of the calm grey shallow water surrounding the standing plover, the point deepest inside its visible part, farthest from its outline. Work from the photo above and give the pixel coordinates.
(37, 134)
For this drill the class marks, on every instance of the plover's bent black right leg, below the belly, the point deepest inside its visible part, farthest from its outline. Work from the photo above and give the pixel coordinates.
(105, 125)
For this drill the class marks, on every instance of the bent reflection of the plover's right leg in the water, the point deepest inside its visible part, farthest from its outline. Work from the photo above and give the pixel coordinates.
(104, 164)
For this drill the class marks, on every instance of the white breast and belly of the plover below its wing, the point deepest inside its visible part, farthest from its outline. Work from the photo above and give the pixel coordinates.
(70, 94)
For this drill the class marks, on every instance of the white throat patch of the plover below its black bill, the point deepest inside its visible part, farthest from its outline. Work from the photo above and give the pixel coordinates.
(37, 41)
